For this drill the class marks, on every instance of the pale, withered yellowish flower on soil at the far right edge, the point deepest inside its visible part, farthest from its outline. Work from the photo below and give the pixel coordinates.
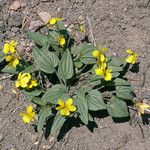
(140, 107)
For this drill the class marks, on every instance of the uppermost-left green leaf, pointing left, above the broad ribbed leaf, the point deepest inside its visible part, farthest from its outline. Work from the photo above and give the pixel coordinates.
(38, 38)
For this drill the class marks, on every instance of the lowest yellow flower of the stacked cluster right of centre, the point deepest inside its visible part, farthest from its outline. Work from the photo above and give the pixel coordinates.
(105, 73)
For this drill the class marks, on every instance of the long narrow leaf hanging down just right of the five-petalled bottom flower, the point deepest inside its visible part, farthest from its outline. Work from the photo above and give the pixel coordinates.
(82, 106)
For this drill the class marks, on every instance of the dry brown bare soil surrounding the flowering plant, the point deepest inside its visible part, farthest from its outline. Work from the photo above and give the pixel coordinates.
(117, 24)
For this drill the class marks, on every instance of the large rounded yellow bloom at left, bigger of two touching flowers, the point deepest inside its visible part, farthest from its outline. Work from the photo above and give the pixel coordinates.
(23, 80)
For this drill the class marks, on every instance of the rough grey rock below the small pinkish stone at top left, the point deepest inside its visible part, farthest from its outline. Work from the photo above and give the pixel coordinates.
(15, 20)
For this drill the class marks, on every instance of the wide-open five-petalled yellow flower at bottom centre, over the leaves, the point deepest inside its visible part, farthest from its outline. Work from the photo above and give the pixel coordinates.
(66, 108)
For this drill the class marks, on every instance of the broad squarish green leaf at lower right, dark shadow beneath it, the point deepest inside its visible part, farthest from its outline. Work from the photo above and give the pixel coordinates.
(117, 108)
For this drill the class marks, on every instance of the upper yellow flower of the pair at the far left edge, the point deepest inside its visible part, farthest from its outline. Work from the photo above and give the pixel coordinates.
(9, 47)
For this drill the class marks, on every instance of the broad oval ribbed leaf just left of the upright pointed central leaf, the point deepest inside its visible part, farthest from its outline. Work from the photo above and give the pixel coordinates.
(45, 60)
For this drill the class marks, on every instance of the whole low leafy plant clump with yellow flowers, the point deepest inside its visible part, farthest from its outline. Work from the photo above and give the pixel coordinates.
(67, 80)
